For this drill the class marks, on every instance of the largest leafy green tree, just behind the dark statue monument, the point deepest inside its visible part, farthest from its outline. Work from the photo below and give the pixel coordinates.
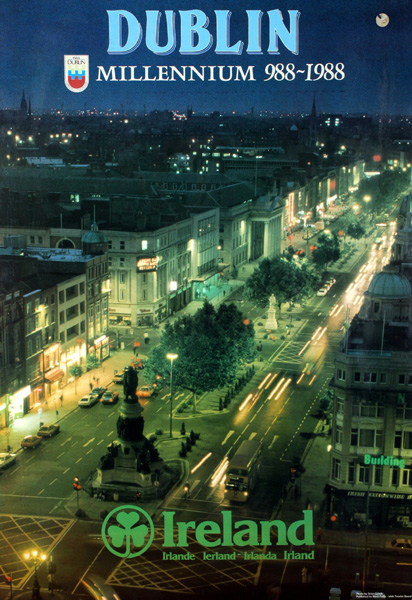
(211, 345)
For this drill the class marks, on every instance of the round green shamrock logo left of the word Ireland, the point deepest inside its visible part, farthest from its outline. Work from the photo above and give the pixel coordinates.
(128, 532)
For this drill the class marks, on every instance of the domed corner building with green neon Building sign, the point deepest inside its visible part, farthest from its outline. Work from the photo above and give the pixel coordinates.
(371, 457)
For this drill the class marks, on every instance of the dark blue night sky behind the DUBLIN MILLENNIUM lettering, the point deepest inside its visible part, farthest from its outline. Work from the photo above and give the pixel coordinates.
(36, 34)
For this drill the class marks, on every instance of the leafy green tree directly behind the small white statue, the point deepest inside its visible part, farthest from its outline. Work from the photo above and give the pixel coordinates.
(287, 279)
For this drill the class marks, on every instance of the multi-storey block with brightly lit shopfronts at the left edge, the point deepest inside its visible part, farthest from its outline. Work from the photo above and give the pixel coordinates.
(53, 314)
